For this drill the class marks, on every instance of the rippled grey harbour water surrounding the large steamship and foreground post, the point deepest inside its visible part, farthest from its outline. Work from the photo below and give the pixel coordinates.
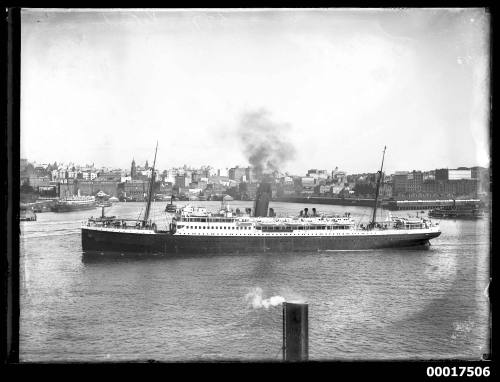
(363, 305)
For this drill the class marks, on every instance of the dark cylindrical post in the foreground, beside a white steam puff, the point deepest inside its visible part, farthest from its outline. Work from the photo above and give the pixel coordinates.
(295, 332)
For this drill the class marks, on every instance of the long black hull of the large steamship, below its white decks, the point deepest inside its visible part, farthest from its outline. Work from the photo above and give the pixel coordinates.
(166, 243)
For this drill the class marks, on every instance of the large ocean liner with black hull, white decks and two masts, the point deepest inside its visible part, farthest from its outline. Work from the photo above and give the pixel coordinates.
(196, 230)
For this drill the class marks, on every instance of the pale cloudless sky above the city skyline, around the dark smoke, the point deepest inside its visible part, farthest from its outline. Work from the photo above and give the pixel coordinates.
(335, 85)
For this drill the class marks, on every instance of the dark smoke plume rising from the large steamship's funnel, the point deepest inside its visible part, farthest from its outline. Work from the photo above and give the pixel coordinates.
(265, 142)
